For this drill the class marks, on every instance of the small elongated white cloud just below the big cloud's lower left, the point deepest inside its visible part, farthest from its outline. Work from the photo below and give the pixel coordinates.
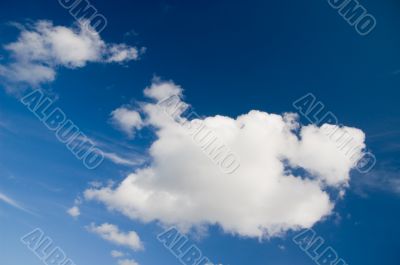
(112, 233)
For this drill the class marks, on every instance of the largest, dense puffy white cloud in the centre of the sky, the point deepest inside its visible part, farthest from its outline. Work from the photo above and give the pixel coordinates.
(282, 184)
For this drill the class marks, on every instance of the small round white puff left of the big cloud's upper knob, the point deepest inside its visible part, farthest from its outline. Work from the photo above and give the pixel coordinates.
(126, 120)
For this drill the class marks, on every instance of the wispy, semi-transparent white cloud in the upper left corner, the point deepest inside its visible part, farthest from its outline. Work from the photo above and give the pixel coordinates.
(42, 47)
